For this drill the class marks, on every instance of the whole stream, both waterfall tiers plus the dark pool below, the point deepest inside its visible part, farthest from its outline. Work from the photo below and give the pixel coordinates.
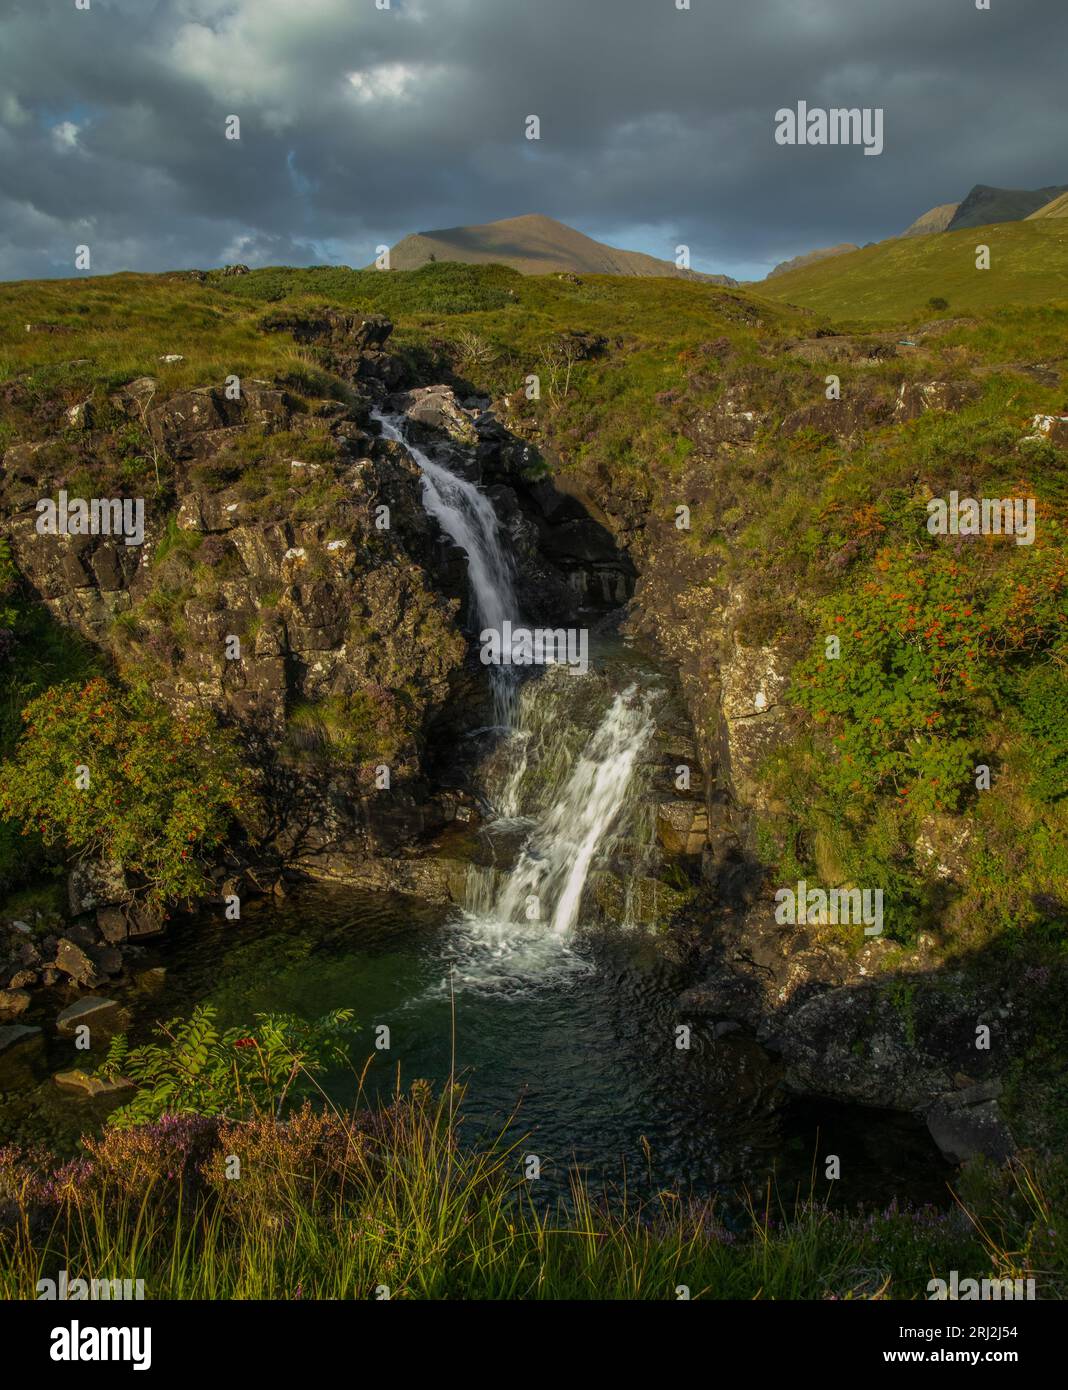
(549, 990)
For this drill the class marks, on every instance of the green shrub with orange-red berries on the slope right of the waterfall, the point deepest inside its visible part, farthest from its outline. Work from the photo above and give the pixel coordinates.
(930, 650)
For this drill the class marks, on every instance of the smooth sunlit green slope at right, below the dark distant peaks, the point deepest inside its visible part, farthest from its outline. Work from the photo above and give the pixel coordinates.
(898, 279)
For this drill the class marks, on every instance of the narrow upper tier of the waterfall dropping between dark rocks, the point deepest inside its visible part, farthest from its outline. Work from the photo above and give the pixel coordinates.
(467, 516)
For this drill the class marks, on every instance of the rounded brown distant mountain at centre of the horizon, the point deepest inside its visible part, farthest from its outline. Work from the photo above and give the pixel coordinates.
(533, 245)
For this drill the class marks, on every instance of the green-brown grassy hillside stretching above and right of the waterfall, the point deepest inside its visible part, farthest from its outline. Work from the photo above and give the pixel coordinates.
(649, 415)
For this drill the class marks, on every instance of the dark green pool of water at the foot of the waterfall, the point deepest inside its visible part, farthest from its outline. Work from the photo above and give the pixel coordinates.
(585, 1050)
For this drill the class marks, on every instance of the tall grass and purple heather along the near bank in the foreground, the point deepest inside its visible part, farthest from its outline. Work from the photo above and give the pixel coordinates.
(396, 1203)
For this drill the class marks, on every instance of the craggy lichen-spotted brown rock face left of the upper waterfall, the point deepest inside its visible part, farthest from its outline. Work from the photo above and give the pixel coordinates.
(280, 562)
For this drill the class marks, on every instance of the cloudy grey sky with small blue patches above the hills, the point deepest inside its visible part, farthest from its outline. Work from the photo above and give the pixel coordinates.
(366, 120)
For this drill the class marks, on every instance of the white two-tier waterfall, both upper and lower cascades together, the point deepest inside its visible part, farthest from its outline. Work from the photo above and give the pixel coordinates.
(518, 925)
